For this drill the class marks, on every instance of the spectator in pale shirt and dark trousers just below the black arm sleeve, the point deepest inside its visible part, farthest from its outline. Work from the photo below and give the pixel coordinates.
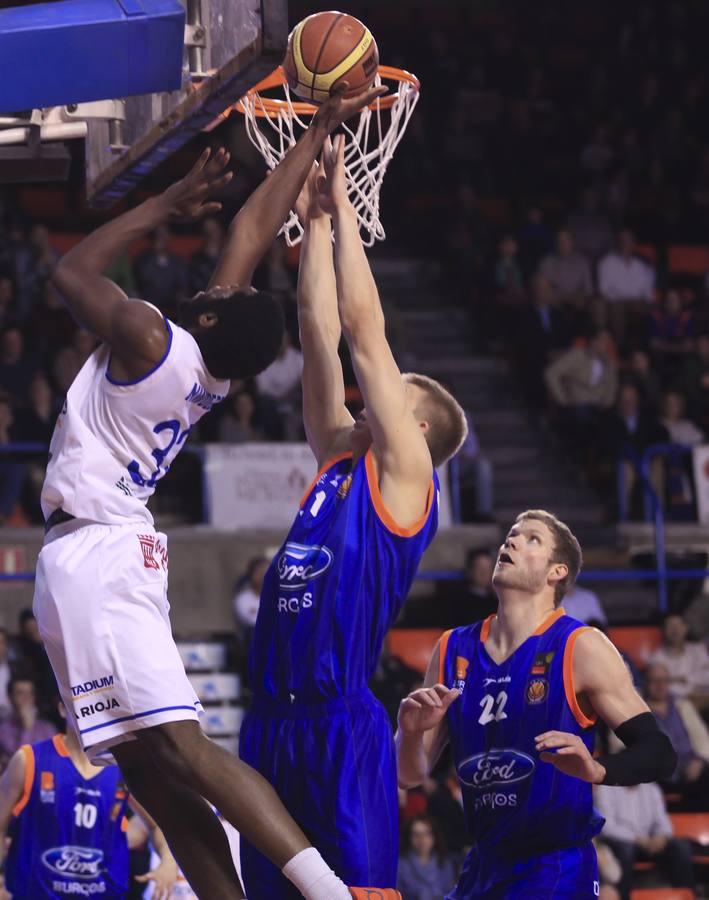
(638, 828)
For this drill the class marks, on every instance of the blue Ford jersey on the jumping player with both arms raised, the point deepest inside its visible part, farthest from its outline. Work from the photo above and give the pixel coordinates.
(335, 587)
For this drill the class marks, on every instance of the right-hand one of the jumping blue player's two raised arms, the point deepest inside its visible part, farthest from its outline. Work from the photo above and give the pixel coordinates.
(401, 450)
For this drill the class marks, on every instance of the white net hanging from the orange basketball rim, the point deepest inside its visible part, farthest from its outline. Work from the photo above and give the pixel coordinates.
(369, 148)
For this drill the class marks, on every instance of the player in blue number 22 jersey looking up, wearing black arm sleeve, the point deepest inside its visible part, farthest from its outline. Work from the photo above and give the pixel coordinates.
(517, 697)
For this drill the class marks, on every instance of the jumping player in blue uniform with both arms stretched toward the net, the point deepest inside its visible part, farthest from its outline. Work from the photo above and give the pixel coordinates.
(341, 577)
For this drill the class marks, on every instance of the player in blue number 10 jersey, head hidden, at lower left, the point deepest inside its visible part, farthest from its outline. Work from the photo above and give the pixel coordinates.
(68, 832)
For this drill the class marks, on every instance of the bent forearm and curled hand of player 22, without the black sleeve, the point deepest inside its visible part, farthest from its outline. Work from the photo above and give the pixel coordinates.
(423, 733)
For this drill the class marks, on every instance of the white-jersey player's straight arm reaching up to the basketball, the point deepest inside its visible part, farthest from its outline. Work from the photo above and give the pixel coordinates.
(259, 220)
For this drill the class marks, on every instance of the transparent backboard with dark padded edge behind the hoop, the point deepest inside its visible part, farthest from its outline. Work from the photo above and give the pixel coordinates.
(230, 45)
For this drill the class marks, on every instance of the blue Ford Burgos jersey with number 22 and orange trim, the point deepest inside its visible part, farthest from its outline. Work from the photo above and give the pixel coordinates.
(517, 807)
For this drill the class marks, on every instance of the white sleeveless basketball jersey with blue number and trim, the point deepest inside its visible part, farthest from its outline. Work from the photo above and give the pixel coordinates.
(113, 441)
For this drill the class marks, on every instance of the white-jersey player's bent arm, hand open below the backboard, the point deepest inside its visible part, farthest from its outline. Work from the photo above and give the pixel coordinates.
(135, 333)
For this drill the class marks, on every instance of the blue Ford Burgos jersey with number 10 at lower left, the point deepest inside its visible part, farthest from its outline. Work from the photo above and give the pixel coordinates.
(68, 833)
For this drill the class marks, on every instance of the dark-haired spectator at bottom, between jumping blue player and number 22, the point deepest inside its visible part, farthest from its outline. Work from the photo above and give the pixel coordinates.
(425, 872)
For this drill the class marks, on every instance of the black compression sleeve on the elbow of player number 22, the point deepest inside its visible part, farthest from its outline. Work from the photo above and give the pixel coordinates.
(648, 753)
